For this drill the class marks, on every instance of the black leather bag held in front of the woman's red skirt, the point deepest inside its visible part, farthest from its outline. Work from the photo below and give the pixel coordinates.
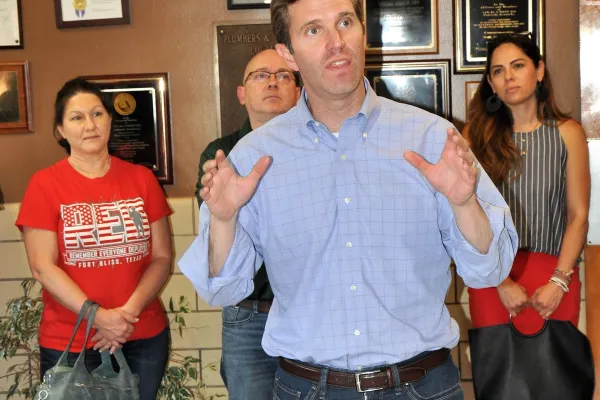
(554, 364)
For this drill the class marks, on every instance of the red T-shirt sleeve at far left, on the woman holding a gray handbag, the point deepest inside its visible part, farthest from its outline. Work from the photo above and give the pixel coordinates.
(37, 211)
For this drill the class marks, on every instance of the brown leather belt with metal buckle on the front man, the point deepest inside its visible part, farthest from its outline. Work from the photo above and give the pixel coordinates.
(369, 380)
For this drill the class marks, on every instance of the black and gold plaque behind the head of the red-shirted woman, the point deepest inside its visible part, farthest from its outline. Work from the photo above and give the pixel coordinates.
(141, 124)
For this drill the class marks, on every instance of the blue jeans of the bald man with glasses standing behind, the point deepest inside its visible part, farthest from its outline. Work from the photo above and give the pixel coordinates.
(246, 369)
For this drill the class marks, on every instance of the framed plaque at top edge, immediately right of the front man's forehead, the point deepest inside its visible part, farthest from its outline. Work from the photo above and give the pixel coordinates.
(401, 27)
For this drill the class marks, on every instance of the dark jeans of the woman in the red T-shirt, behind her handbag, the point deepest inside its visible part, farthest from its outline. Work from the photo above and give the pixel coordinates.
(146, 357)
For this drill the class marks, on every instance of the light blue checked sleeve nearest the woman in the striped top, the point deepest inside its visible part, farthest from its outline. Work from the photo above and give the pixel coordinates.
(481, 270)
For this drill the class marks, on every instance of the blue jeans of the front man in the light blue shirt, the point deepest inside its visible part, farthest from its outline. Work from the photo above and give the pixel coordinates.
(440, 383)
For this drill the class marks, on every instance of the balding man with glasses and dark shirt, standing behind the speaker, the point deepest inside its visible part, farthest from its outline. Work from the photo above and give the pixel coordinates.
(268, 89)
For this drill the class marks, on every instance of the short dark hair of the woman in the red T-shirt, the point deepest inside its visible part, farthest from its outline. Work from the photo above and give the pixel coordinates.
(70, 89)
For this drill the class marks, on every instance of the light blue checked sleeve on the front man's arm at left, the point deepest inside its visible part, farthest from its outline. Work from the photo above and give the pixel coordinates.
(235, 281)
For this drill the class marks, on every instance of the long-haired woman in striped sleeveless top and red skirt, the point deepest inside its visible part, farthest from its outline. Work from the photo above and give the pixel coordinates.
(538, 157)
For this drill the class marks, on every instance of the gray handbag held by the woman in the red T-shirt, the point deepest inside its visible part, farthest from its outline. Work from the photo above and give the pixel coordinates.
(63, 382)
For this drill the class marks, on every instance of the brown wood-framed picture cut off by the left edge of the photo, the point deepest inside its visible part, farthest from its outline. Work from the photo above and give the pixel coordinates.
(15, 97)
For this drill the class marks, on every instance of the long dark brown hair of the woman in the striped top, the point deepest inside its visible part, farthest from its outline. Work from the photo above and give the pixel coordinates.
(490, 133)
